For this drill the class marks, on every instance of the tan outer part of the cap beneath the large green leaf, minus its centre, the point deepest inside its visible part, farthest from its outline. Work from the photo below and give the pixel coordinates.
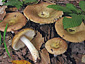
(77, 37)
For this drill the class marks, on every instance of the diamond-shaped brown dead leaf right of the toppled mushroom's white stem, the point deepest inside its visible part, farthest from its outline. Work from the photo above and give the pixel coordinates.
(38, 41)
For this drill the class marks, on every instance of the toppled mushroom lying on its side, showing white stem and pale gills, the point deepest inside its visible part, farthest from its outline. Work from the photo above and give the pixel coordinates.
(23, 38)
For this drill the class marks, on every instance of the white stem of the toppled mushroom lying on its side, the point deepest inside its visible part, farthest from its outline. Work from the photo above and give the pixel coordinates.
(31, 48)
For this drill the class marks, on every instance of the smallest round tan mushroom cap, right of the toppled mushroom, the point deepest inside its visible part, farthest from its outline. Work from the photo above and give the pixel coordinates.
(56, 51)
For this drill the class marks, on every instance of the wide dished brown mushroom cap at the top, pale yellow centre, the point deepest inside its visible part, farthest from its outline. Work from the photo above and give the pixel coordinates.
(32, 12)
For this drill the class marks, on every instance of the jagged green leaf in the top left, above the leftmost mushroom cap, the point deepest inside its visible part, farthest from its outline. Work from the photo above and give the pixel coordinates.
(16, 3)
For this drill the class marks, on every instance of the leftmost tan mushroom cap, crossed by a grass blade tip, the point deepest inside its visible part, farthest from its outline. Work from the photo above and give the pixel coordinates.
(15, 21)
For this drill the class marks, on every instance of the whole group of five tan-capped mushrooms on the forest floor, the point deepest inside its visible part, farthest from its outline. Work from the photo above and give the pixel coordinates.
(39, 13)
